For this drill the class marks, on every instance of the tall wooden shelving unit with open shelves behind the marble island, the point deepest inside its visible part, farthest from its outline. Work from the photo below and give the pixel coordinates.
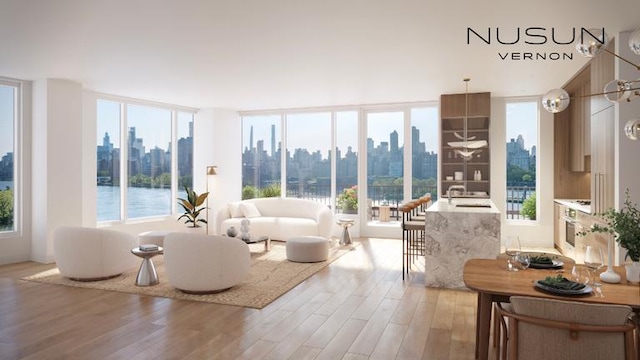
(453, 111)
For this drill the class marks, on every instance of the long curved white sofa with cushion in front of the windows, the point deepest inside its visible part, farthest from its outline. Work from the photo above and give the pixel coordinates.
(278, 218)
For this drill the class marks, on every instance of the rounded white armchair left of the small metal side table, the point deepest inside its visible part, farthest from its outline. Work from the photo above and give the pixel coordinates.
(89, 254)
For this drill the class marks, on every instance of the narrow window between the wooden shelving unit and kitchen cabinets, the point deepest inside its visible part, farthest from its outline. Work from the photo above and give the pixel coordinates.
(521, 143)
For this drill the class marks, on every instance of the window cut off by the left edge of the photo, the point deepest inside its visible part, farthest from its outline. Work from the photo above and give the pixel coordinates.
(9, 117)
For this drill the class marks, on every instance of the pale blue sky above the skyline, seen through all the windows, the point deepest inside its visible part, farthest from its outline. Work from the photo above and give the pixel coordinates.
(521, 120)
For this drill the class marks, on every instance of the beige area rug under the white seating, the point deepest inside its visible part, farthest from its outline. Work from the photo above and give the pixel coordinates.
(271, 275)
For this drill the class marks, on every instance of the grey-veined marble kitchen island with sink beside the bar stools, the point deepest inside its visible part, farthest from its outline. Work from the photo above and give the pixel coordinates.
(454, 233)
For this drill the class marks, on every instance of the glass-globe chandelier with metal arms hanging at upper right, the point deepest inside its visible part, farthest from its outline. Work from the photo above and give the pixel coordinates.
(590, 44)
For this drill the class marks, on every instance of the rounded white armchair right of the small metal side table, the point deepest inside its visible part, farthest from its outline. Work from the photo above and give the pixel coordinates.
(201, 264)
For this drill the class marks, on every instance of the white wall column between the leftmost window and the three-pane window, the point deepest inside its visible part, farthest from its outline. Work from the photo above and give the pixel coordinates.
(57, 162)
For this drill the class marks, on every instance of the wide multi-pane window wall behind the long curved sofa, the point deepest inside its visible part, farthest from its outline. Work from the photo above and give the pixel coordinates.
(321, 159)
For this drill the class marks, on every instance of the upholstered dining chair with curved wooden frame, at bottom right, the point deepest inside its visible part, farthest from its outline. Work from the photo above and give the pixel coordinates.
(539, 328)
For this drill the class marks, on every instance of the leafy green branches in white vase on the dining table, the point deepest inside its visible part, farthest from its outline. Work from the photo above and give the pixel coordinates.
(624, 225)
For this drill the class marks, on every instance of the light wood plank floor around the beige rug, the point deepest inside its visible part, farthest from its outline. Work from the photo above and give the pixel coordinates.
(356, 308)
